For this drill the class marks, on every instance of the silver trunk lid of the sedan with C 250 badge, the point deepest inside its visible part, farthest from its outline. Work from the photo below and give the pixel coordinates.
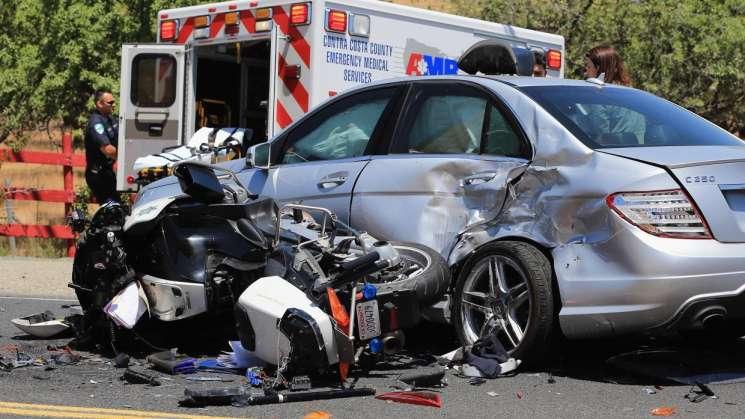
(714, 176)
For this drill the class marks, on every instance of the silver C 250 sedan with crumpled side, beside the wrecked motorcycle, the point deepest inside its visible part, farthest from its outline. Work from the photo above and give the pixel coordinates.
(562, 207)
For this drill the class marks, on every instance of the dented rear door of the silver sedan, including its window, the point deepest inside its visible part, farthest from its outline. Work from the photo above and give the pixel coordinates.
(453, 154)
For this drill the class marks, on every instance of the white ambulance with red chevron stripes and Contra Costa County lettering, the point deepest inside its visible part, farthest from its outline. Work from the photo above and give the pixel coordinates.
(262, 64)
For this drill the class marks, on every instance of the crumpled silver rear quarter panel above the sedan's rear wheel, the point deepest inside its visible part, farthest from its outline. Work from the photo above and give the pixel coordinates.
(556, 205)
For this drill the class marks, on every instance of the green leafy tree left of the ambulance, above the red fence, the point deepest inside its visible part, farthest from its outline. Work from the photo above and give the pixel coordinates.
(55, 53)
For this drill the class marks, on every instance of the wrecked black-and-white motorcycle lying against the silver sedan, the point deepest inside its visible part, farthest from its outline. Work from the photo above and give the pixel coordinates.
(195, 253)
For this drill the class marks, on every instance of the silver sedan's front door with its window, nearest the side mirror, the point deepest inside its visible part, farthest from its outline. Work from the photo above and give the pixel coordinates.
(320, 158)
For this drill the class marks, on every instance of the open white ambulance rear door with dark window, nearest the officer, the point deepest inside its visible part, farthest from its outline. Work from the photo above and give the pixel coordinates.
(152, 101)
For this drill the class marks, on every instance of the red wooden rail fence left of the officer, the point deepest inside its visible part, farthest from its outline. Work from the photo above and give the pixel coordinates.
(67, 159)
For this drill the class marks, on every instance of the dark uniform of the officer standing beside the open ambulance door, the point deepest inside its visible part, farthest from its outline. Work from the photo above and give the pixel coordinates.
(99, 174)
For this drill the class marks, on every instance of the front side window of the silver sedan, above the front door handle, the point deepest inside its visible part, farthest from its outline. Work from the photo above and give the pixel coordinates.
(341, 130)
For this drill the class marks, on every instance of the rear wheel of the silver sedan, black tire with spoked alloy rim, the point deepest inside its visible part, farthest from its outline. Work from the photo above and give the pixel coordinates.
(523, 316)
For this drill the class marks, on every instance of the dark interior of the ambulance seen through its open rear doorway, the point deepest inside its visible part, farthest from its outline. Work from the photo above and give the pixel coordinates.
(232, 86)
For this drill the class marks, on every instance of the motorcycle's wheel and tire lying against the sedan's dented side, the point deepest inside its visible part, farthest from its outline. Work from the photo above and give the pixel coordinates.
(430, 282)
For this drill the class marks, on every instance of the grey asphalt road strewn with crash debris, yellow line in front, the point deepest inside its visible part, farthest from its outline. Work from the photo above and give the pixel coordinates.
(582, 384)
